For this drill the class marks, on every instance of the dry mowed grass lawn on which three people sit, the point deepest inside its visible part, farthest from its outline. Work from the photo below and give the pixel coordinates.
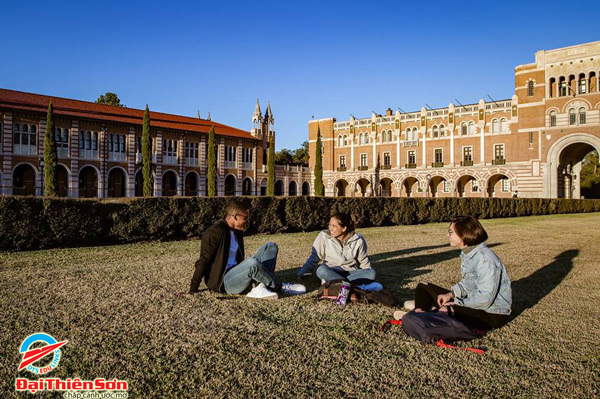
(118, 308)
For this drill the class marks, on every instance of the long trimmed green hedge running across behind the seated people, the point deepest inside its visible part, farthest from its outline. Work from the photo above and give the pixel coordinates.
(28, 223)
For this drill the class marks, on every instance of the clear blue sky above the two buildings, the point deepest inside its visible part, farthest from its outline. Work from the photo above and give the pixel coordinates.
(309, 58)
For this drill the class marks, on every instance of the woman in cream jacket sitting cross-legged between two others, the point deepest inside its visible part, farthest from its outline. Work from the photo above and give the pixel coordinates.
(342, 253)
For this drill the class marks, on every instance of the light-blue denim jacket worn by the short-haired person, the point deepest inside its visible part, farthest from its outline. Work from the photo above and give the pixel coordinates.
(485, 284)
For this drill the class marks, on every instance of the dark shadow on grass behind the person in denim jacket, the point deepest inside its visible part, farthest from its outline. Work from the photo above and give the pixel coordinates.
(528, 291)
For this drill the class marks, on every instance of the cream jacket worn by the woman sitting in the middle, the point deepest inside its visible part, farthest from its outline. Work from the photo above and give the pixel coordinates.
(349, 256)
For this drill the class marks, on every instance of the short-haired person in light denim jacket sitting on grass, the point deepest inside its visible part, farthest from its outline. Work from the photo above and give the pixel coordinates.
(482, 299)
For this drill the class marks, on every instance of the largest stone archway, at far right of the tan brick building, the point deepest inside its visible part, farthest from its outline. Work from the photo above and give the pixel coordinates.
(558, 161)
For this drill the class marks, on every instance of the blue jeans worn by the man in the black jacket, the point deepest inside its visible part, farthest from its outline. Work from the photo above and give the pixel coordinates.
(259, 267)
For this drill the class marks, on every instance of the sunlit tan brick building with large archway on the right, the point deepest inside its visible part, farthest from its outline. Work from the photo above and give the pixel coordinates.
(531, 145)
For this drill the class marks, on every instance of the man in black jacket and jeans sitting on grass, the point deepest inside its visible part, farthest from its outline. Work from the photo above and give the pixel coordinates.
(222, 263)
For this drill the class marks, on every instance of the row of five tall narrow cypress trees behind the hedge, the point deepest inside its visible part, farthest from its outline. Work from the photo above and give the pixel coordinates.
(51, 160)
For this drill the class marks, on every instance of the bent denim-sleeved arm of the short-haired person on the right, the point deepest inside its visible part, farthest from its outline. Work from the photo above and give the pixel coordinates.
(488, 277)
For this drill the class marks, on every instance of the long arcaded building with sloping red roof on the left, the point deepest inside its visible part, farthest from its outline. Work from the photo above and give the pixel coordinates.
(99, 151)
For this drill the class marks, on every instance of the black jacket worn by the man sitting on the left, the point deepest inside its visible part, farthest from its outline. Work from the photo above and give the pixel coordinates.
(214, 253)
